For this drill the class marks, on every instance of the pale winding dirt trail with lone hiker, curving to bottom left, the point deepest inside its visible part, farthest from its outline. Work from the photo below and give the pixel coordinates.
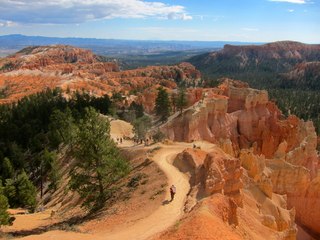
(164, 217)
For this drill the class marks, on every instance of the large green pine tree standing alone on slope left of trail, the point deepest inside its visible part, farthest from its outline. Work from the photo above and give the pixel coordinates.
(98, 161)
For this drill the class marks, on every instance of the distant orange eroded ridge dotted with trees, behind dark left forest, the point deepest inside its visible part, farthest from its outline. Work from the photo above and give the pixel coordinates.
(74, 69)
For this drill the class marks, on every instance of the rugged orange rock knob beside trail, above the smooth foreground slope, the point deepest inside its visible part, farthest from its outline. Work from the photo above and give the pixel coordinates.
(211, 173)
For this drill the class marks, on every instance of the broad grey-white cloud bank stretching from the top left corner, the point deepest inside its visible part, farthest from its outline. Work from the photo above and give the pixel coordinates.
(78, 11)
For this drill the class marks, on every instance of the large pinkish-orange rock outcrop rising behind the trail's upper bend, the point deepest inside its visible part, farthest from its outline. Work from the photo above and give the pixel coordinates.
(243, 115)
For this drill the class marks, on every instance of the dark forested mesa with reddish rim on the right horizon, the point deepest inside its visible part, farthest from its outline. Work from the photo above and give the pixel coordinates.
(259, 65)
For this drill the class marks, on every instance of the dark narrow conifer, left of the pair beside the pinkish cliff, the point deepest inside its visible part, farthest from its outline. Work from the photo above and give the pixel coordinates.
(162, 106)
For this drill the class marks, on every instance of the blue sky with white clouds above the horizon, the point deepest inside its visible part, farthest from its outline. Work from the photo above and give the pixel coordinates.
(199, 20)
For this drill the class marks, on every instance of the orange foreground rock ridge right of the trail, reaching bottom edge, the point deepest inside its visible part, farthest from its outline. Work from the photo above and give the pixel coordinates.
(227, 201)
